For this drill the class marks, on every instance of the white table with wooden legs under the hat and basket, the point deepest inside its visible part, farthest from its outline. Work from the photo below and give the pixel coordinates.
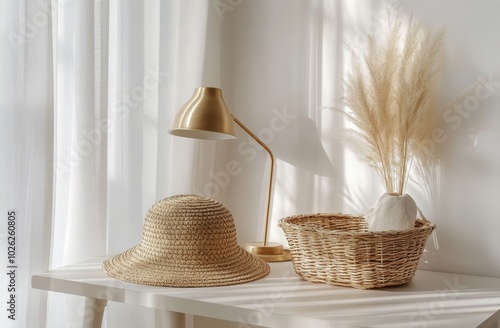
(431, 299)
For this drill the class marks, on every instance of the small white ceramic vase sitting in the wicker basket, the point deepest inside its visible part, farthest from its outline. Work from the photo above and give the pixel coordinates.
(392, 212)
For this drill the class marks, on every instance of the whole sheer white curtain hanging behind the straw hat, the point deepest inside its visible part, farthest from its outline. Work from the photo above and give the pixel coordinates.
(88, 91)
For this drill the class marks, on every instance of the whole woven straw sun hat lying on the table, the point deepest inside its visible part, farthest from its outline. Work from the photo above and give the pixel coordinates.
(187, 241)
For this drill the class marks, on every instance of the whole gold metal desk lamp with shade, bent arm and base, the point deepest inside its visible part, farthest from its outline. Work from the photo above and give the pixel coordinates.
(206, 116)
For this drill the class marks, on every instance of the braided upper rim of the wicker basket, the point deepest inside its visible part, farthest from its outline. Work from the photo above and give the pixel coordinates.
(285, 223)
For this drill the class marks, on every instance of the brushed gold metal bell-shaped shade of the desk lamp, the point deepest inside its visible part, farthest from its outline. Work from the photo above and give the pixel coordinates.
(204, 116)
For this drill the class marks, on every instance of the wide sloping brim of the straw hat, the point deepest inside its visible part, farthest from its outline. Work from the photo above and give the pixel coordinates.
(132, 266)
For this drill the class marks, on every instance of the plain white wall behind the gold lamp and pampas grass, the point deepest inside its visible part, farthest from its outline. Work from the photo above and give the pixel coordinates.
(287, 58)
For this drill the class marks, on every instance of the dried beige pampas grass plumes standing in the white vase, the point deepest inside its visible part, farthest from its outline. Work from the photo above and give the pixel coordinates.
(390, 94)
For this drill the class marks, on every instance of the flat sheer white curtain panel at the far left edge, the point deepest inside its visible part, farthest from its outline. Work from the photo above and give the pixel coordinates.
(26, 125)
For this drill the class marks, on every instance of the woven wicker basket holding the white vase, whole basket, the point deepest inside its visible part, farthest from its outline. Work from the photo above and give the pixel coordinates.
(337, 249)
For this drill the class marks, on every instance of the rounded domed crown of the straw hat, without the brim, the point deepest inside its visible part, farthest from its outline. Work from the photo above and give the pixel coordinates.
(186, 228)
